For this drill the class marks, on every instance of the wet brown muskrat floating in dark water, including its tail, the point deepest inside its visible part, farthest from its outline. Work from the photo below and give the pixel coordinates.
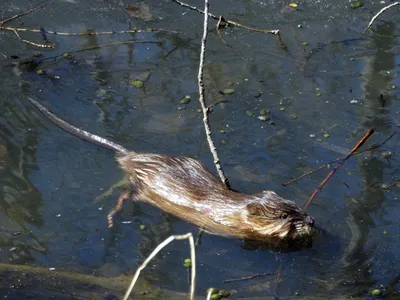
(183, 187)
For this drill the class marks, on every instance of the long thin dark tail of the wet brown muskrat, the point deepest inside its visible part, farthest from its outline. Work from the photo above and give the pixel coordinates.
(80, 133)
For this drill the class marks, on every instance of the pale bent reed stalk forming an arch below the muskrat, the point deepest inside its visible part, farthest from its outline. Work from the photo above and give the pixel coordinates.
(158, 249)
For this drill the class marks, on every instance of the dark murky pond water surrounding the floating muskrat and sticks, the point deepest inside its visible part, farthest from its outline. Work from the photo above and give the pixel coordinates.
(49, 180)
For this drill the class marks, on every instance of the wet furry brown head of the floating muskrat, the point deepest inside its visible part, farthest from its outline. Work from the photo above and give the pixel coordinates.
(274, 217)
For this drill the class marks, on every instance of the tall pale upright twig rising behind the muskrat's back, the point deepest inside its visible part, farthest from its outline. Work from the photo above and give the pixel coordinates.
(204, 107)
